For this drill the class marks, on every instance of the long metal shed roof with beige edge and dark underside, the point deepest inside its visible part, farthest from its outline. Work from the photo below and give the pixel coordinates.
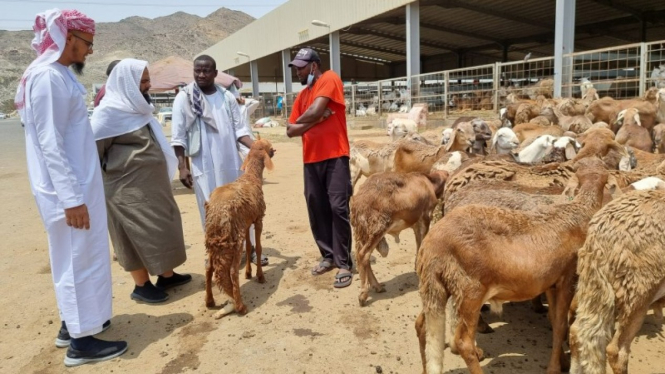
(487, 28)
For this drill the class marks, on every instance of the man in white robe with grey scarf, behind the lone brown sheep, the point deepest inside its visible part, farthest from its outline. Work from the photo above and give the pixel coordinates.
(206, 126)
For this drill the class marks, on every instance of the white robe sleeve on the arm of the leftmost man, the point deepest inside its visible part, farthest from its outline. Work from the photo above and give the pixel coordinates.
(51, 101)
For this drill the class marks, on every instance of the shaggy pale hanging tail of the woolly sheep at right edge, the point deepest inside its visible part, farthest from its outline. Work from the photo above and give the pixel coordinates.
(592, 329)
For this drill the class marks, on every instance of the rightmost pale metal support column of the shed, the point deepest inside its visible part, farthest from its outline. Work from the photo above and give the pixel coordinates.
(564, 45)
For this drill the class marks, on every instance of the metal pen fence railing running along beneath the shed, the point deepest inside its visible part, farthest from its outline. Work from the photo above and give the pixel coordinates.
(620, 72)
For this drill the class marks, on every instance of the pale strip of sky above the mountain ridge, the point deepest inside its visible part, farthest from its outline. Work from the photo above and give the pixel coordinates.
(20, 14)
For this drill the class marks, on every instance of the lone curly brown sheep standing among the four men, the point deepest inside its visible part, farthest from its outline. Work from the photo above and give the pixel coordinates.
(230, 211)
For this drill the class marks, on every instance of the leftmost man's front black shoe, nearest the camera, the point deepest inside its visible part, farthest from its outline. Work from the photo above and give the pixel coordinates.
(90, 349)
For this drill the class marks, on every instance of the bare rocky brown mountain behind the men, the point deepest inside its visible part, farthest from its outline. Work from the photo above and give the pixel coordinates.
(179, 34)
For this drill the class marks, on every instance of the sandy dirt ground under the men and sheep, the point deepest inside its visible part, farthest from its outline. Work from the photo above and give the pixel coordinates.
(297, 323)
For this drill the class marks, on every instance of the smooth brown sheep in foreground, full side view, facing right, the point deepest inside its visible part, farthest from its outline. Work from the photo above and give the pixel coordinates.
(479, 253)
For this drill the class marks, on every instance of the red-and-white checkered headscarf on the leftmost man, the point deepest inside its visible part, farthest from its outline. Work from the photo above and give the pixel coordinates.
(50, 36)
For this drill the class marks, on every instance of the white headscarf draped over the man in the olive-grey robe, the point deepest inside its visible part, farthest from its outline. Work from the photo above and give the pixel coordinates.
(124, 109)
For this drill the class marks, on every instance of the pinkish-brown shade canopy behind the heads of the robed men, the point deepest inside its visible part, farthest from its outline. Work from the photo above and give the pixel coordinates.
(172, 72)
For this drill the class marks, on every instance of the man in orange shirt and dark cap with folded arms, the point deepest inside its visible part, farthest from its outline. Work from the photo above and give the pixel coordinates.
(319, 117)
